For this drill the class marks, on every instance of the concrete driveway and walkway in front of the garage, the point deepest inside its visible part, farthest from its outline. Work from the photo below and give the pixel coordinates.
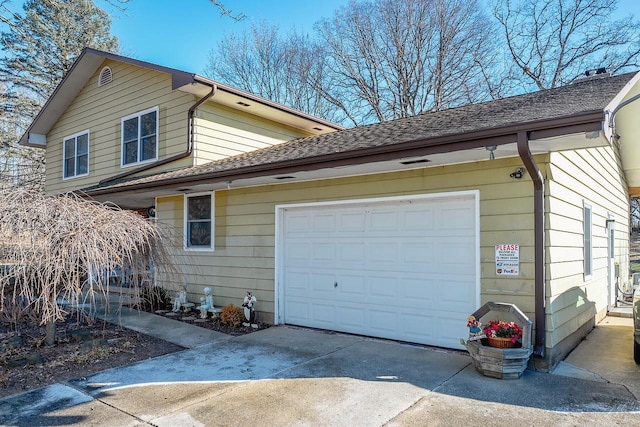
(288, 376)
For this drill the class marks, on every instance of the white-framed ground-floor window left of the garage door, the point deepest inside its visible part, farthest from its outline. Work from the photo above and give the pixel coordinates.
(199, 221)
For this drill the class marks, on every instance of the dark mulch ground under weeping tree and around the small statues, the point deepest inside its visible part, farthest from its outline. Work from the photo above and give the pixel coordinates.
(27, 363)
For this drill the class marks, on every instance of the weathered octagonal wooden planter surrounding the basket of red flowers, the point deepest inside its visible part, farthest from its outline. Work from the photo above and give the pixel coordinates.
(503, 363)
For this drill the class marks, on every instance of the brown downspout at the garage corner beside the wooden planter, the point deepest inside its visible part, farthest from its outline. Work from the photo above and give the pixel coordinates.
(539, 249)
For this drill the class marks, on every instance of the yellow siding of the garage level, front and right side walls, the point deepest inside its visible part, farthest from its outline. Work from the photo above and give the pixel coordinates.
(244, 257)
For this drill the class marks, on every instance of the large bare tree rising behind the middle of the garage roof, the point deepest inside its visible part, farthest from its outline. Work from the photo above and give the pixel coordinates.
(393, 59)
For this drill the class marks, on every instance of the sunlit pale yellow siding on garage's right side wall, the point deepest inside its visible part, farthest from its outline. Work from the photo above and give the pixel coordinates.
(591, 176)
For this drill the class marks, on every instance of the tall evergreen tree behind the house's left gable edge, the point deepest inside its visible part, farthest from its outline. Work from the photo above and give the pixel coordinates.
(39, 47)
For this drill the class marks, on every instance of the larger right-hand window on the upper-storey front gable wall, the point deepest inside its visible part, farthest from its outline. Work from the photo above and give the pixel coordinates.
(140, 137)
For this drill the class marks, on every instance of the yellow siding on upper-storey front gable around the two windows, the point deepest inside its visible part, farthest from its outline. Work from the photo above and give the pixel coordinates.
(100, 109)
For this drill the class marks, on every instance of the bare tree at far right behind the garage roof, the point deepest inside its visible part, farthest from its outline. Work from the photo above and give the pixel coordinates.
(553, 42)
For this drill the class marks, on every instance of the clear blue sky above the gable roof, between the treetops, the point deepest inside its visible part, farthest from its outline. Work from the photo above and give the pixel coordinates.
(181, 34)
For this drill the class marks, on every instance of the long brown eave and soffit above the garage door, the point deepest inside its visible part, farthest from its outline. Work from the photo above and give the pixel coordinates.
(581, 131)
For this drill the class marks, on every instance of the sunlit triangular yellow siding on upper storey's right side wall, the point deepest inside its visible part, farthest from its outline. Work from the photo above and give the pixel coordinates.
(223, 132)
